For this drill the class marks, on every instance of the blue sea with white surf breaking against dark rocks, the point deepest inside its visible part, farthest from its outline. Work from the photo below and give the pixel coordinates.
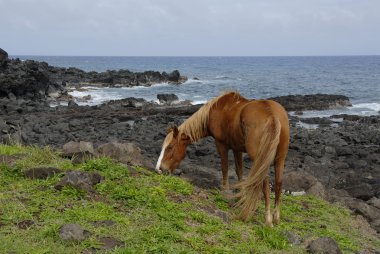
(357, 77)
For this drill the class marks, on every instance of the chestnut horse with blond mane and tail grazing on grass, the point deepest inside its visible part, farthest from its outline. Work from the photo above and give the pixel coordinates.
(257, 127)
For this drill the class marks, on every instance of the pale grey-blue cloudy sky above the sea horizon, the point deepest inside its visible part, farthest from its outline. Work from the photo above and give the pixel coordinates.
(190, 27)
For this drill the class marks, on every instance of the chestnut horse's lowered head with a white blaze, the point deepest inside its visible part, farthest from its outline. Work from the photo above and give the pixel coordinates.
(173, 150)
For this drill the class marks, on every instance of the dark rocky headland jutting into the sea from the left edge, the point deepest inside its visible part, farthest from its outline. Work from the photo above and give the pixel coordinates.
(35, 80)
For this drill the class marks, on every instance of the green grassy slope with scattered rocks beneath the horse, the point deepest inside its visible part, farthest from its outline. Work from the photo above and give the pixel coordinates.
(151, 213)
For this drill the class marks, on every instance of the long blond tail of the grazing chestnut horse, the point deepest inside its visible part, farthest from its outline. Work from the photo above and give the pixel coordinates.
(250, 189)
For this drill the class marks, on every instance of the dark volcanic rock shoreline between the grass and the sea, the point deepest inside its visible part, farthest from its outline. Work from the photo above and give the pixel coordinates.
(338, 161)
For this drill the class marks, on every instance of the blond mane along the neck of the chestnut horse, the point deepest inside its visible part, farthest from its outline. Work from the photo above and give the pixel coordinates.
(196, 125)
